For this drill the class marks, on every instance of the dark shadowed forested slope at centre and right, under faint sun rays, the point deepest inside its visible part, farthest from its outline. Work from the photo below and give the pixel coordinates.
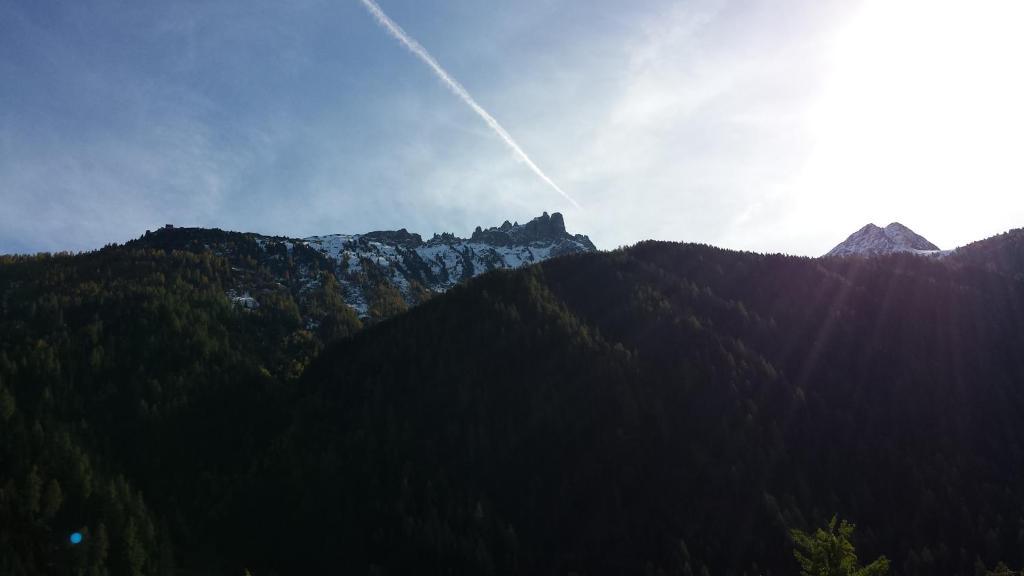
(668, 407)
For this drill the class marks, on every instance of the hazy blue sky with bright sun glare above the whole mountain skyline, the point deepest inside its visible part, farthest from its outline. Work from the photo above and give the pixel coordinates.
(773, 126)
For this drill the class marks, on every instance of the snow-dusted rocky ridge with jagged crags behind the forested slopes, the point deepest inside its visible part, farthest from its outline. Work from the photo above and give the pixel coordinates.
(377, 274)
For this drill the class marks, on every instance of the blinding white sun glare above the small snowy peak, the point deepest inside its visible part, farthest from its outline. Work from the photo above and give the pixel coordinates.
(922, 113)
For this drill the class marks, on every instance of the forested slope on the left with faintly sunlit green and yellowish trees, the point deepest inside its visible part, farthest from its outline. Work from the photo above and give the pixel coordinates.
(133, 394)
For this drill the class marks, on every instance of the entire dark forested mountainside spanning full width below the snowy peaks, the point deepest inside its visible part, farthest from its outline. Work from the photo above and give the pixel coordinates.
(664, 409)
